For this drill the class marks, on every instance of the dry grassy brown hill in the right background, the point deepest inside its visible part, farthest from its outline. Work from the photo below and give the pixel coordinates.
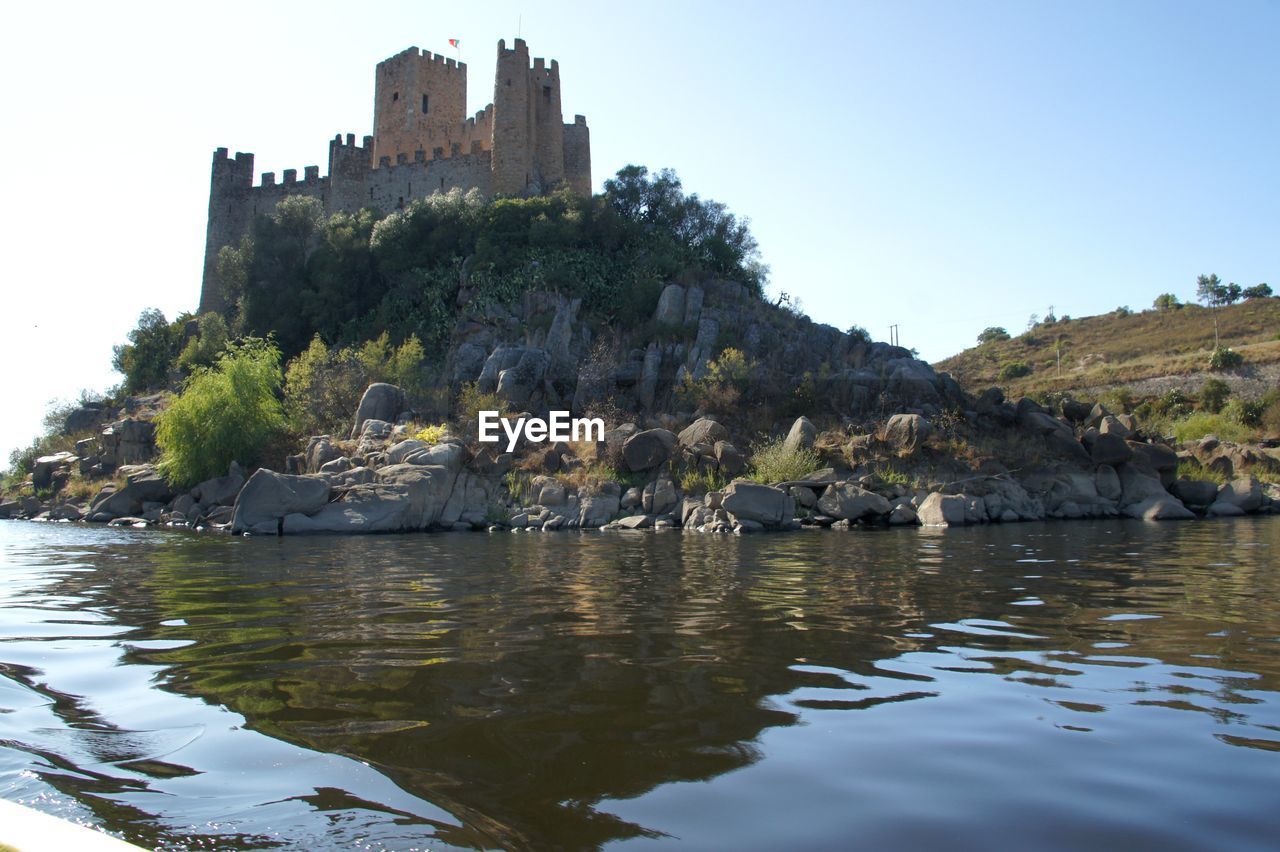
(1123, 349)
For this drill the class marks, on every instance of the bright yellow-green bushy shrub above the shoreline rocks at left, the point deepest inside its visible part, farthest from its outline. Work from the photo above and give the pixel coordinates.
(228, 413)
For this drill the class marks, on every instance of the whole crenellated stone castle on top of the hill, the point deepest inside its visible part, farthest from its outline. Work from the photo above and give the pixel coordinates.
(423, 143)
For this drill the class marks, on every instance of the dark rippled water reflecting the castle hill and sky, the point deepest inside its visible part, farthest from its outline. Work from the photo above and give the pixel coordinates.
(1062, 686)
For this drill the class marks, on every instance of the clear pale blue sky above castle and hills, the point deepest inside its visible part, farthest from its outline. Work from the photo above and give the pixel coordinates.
(939, 166)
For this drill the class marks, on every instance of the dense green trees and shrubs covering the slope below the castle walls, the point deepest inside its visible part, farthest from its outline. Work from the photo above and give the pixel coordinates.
(326, 305)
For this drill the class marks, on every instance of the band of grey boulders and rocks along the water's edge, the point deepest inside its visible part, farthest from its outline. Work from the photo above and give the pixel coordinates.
(1094, 465)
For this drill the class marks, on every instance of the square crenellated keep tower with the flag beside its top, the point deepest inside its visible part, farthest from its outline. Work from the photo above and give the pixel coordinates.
(420, 104)
